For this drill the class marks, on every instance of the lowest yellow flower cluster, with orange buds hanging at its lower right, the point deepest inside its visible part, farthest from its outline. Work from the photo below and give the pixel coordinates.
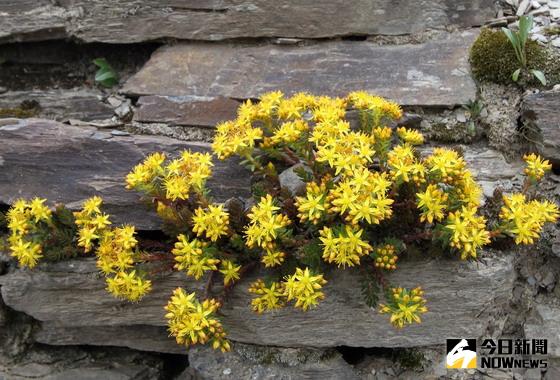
(192, 322)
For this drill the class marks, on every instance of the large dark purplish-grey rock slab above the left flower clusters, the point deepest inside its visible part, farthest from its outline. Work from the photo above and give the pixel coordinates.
(69, 164)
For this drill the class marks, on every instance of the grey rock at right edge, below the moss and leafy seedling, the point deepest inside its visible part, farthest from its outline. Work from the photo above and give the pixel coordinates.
(541, 116)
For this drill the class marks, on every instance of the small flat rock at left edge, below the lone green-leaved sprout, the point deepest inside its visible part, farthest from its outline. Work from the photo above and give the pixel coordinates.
(61, 105)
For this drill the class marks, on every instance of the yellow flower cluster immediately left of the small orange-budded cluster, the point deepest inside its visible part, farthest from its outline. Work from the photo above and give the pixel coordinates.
(344, 246)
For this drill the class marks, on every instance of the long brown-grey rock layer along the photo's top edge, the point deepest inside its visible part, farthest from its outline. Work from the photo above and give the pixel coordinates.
(136, 21)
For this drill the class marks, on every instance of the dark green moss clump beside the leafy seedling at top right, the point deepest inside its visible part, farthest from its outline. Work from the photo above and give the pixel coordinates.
(493, 59)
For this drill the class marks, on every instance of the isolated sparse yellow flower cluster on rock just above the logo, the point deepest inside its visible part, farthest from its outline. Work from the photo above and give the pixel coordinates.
(405, 306)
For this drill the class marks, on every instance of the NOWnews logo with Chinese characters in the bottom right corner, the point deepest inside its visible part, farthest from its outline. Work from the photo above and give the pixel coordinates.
(497, 353)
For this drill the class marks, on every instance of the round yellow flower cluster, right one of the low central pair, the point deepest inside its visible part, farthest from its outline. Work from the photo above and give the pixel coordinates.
(304, 288)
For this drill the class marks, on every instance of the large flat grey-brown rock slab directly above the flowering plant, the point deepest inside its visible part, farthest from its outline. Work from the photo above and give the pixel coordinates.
(435, 73)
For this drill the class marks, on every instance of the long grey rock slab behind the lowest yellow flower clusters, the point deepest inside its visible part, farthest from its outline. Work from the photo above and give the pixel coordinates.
(71, 295)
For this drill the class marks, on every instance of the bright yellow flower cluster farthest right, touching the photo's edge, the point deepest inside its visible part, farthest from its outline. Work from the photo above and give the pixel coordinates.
(525, 219)
